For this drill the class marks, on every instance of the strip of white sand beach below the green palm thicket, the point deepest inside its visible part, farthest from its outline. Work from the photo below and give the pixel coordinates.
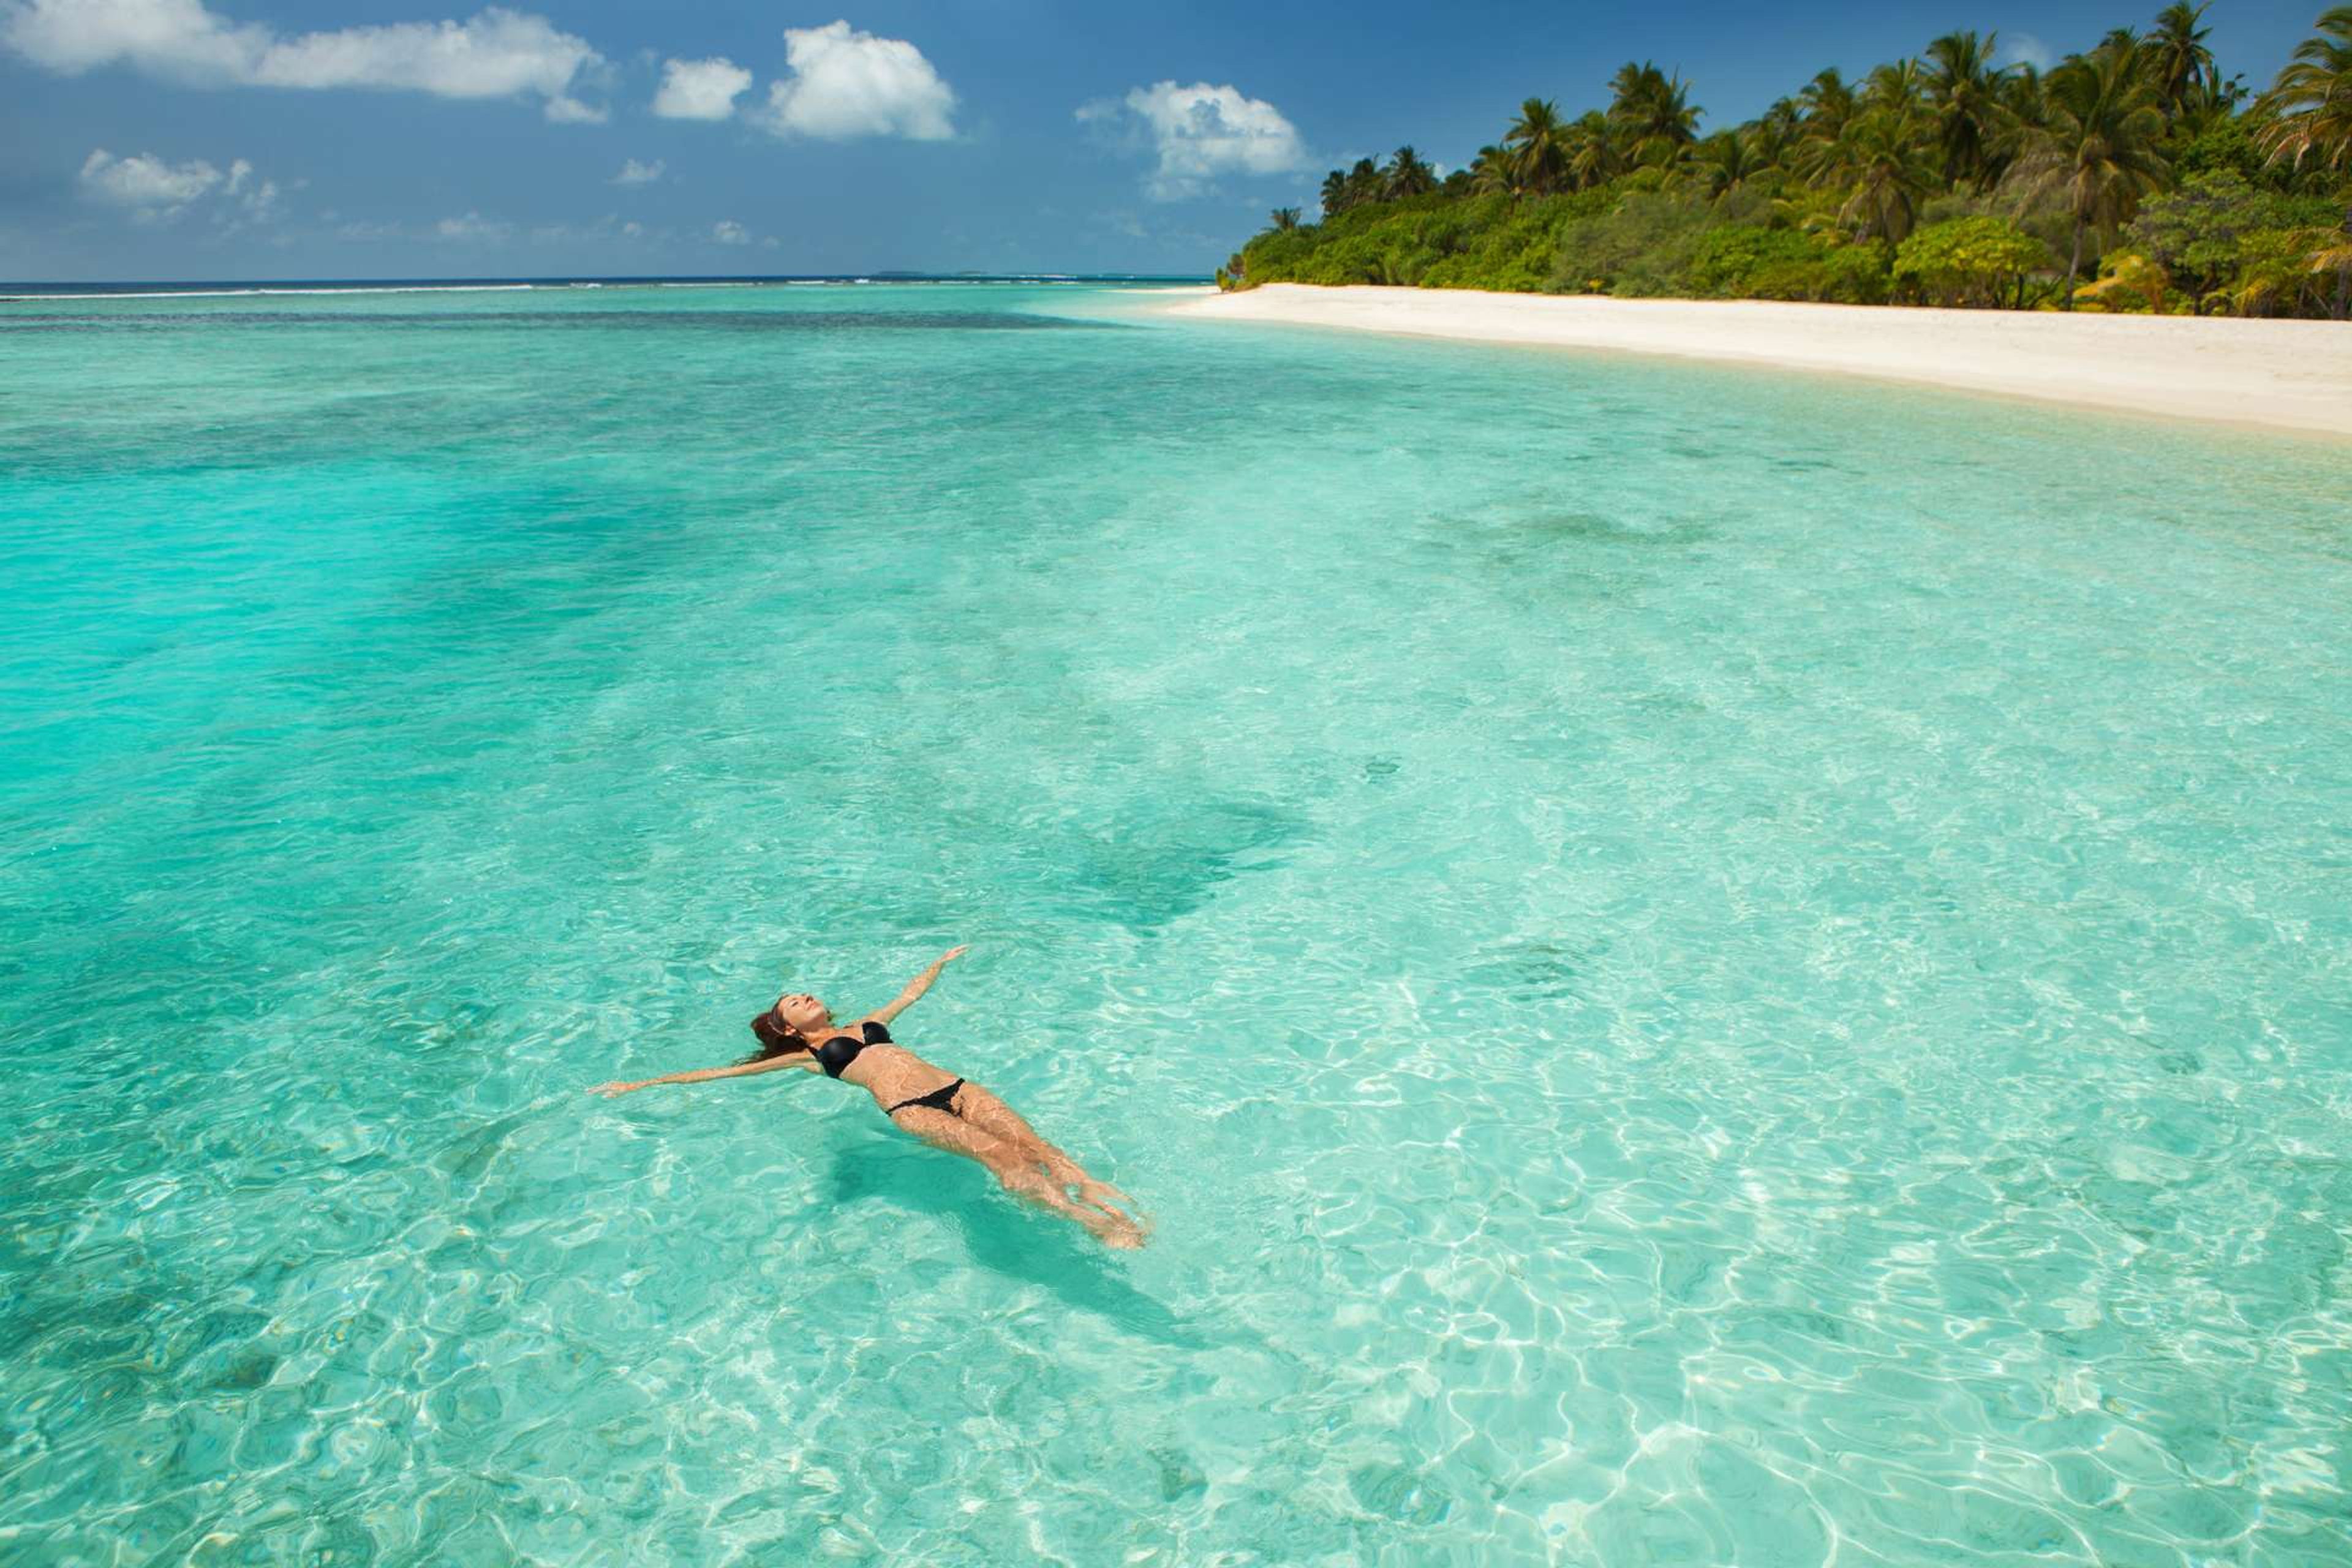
(2283, 375)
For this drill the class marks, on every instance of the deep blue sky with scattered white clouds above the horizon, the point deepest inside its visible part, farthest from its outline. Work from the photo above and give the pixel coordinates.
(434, 140)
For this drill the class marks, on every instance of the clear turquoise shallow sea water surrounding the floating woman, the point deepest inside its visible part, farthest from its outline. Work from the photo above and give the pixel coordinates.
(1699, 967)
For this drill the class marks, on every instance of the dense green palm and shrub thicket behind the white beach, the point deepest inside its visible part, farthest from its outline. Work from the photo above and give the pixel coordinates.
(2132, 180)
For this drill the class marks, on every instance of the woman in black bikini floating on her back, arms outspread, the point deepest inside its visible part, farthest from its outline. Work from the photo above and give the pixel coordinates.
(921, 1099)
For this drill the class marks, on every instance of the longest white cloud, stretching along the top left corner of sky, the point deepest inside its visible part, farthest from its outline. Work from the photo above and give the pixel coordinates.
(495, 55)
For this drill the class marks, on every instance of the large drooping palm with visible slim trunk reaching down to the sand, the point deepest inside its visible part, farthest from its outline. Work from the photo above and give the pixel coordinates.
(2099, 147)
